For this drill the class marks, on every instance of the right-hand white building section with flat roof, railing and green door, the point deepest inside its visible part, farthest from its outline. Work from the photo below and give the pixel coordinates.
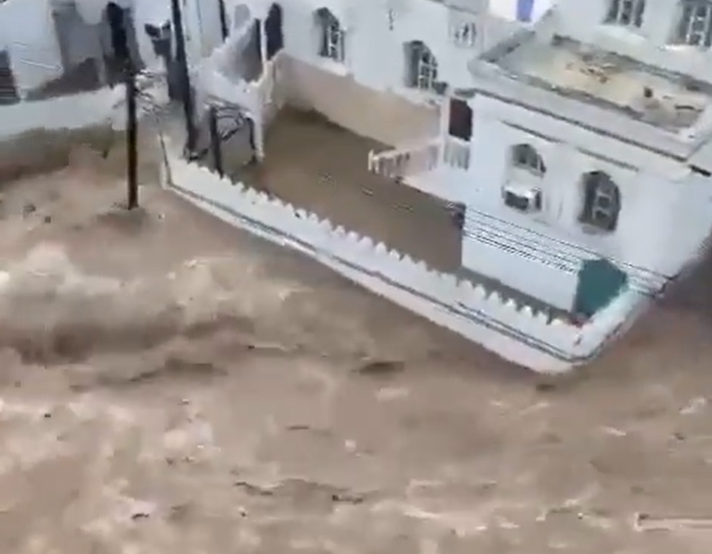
(589, 154)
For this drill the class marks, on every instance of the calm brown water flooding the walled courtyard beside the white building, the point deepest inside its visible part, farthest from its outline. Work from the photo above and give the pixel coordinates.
(316, 165)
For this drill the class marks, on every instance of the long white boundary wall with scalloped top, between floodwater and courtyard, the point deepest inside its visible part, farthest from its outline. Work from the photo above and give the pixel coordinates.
(516, 333)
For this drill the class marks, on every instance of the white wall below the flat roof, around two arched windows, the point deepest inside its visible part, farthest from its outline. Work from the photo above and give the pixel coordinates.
(666, 209)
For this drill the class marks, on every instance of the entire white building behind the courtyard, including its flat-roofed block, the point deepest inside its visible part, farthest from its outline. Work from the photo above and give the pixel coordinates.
(579, 151)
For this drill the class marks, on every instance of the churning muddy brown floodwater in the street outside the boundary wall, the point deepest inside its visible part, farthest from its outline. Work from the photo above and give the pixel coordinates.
(170, 384)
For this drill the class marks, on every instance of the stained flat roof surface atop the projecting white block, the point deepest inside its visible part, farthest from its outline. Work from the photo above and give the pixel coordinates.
(669, 101)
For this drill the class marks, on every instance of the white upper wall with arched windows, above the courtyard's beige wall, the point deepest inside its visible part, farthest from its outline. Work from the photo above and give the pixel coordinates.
(375, 54)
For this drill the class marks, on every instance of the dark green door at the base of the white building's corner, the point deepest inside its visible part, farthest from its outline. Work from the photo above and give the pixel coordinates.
(599, 282)
